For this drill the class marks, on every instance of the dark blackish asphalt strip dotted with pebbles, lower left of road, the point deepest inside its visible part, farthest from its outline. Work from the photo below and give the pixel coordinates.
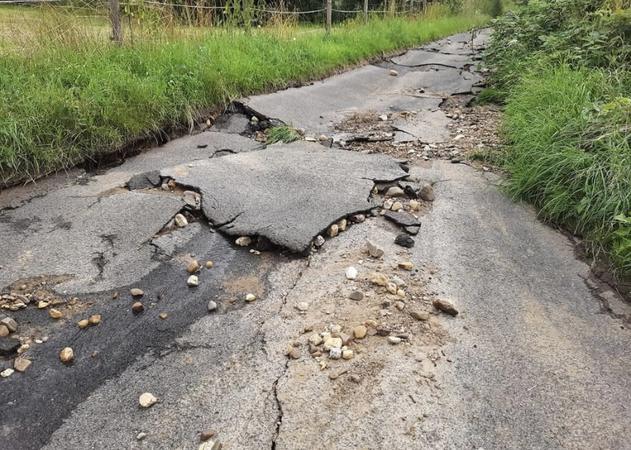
(35, 403)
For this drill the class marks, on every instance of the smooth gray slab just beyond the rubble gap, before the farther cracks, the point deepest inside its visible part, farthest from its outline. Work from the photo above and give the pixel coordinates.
(318, 107)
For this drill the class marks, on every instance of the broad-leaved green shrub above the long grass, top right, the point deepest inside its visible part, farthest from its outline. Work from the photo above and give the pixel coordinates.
(579, 33)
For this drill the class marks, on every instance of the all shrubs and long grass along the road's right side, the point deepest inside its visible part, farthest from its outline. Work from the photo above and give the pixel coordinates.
(563, 70)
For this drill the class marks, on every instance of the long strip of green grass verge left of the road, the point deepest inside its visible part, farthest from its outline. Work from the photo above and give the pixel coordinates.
(63, 104)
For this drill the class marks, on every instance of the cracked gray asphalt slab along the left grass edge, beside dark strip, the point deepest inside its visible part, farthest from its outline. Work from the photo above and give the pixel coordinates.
(91, 228)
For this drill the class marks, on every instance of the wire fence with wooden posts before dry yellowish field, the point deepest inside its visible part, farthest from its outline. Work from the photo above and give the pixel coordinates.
(121, 20)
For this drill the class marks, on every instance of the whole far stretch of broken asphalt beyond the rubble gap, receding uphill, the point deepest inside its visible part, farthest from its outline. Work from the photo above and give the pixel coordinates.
(422, 79)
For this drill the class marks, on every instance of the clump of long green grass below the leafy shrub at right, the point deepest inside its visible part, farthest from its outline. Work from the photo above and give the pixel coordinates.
(570, 153)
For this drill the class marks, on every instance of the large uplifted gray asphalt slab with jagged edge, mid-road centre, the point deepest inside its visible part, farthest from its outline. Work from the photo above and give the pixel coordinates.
(287, 193)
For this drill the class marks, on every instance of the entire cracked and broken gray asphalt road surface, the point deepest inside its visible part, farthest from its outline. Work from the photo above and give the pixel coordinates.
(538, 357)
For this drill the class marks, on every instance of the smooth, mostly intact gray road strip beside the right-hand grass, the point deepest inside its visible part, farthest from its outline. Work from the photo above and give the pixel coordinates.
(535, 361)
